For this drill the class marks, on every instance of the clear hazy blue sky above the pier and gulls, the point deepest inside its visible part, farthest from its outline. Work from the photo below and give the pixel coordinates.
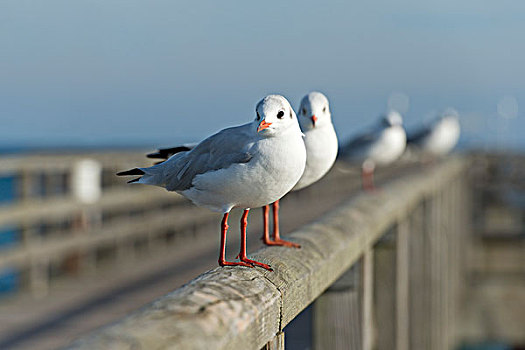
(157, 72)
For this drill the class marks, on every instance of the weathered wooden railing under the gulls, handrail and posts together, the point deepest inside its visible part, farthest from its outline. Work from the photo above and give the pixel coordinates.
(383, 270)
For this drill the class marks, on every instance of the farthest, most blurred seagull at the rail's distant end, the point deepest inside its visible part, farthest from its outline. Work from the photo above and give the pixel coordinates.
(440, 137)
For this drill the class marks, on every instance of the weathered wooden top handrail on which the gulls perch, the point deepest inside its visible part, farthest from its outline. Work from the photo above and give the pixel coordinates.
(246, 307)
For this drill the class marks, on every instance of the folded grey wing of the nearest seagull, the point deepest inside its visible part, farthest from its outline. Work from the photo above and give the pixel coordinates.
(218, 151)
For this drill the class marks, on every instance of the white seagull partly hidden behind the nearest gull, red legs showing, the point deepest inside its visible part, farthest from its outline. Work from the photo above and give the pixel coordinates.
(321, 151)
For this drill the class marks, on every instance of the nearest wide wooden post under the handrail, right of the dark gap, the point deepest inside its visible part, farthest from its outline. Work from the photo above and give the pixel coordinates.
(337, 314)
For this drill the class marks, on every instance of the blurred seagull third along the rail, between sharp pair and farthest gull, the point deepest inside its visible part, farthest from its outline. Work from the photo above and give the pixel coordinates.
(384, 144)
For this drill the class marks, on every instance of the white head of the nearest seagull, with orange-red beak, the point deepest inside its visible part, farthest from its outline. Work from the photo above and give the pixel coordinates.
(274, 114)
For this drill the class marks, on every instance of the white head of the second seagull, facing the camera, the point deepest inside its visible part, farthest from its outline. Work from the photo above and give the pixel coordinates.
(314, 111)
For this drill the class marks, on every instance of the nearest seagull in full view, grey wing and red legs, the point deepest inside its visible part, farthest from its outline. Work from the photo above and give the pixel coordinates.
(246, 166)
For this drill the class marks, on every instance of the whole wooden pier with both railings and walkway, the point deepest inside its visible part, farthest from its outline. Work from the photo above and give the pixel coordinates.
(433, 260)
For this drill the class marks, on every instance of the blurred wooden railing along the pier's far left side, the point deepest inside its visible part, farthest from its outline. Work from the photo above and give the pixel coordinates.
(53, 225)
